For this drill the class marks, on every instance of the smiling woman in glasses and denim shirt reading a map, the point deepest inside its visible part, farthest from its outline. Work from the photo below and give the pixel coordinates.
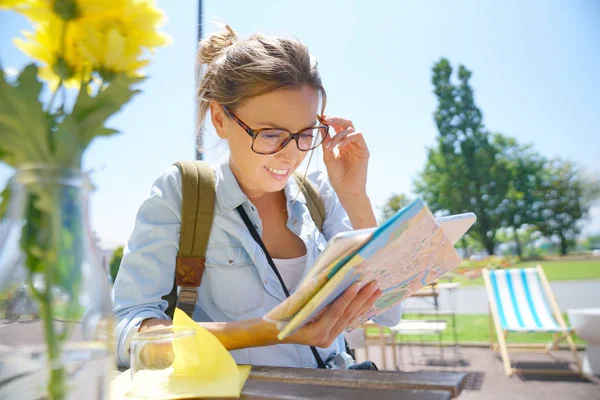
(270, 85)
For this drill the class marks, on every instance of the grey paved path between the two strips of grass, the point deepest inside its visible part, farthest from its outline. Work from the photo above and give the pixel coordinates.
(473, 300)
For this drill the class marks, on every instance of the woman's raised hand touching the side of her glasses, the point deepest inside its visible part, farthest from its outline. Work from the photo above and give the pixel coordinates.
(347, 163)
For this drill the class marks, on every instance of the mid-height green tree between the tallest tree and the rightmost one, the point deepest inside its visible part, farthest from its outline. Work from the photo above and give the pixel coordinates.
(523, 201)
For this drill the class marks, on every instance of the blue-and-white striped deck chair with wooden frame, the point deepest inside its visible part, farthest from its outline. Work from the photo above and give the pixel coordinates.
(521, 300)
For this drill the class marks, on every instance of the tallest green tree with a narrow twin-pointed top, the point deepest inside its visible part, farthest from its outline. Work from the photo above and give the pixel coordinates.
(465, 171)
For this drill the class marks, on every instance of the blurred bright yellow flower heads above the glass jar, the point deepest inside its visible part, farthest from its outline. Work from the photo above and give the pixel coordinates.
(75, 38)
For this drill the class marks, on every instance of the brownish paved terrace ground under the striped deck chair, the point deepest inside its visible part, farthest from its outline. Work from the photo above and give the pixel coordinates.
(486, 378)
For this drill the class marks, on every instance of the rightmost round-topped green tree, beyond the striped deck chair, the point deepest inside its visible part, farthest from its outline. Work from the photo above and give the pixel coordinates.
(563, 205)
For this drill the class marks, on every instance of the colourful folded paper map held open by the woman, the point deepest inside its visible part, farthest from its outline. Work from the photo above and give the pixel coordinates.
(407, 252)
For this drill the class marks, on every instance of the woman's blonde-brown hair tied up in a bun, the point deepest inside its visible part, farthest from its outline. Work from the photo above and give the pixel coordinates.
(237, 70)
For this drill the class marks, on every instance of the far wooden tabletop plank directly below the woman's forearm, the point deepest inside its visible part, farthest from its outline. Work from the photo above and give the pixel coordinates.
(452, 382)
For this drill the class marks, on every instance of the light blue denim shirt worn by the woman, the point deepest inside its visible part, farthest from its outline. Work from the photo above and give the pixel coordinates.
(237, 282)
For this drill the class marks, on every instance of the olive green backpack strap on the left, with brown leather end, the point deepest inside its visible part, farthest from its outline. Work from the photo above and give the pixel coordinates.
(197, 211)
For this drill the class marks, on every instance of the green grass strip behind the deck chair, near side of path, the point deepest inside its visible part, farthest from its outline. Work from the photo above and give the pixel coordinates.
(472, 328)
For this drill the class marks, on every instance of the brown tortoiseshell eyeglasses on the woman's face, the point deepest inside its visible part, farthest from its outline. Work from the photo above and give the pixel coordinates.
(271, 140)
